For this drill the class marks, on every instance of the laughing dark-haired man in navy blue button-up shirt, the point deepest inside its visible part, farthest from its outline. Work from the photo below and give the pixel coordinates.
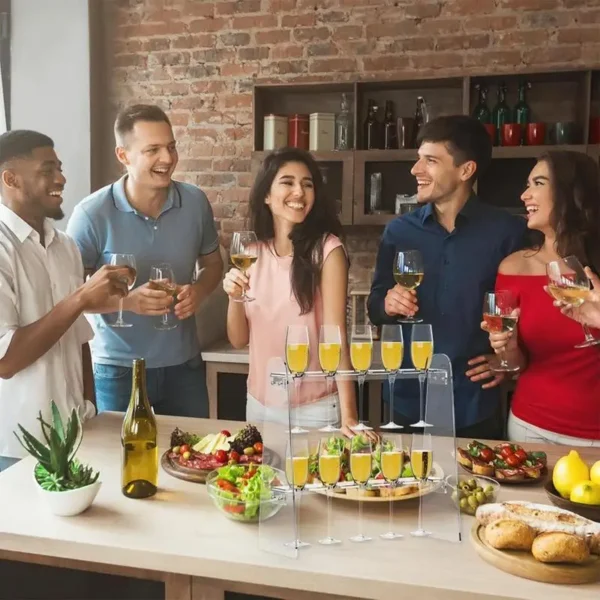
(462, 240)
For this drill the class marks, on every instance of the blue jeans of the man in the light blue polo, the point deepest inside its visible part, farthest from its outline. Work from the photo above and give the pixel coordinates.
(179, 391)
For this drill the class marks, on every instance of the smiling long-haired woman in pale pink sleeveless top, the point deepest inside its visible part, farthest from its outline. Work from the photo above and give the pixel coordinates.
(300, 278)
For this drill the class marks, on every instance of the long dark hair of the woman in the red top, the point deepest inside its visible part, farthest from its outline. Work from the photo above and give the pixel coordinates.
(575, 218)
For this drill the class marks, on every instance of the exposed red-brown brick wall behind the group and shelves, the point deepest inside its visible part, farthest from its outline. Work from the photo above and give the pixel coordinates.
(199, 59)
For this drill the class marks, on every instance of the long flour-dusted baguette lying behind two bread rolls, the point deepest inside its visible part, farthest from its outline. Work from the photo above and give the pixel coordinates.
(542, 518)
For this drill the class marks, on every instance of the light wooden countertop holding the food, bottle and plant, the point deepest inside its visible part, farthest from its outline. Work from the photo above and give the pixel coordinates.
(179, 531)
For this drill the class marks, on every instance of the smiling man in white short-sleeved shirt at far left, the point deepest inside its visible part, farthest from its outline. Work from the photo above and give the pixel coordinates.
(44, 353)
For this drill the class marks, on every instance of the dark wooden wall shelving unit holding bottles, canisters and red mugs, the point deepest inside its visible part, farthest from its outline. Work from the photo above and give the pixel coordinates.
(570, 95)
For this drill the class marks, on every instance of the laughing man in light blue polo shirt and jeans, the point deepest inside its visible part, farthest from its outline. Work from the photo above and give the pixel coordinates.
(158, 220)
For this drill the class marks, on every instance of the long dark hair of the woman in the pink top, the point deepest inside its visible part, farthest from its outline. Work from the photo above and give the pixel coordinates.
(307, 237)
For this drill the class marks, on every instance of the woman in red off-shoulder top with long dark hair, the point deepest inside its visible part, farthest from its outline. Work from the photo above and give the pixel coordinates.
(557, 398)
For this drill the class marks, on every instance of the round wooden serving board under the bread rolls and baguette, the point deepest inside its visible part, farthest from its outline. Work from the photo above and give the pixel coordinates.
(522, 564)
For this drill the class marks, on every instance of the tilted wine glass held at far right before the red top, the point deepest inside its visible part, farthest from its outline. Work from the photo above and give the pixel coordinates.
(568, 283)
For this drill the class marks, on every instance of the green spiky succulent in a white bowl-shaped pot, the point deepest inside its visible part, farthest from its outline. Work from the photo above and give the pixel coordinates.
(67, 486)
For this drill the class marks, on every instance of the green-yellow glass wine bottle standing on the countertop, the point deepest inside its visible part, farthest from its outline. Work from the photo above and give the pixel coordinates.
(139, 478)
